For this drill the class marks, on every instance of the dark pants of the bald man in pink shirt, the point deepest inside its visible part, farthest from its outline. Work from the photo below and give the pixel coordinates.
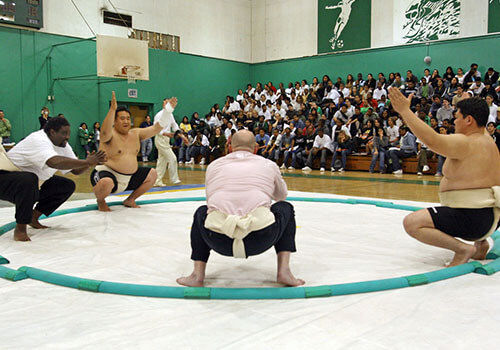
(281, 235)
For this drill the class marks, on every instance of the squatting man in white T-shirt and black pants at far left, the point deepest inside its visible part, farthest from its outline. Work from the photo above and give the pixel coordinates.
(27, 174)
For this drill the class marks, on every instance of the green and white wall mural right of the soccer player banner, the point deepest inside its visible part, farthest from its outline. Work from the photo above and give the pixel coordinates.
(431, 20)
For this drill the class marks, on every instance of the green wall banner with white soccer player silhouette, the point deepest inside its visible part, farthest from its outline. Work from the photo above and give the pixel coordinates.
(343, 25)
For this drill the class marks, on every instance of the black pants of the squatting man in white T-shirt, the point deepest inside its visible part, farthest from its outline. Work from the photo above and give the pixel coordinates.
(21, 188)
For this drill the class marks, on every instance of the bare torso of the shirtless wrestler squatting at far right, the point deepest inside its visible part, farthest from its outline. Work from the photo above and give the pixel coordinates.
(480, 167)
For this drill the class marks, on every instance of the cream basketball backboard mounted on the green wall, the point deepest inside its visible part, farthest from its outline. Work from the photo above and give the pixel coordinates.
(122, 58)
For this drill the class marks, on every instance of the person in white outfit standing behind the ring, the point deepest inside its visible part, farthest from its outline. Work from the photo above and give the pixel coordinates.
(166, 157)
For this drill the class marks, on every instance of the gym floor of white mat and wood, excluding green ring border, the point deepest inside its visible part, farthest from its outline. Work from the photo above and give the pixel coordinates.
(337, 243)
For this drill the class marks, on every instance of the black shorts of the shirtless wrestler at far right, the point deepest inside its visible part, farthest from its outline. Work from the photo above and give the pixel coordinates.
(468, 224)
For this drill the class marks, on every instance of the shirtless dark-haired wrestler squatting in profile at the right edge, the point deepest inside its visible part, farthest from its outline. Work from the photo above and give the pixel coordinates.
(470, 188)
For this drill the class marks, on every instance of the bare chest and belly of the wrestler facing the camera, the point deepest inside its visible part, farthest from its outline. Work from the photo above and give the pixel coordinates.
(122, 151)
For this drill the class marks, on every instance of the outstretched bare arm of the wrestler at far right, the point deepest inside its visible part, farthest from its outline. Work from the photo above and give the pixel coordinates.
(454, 146)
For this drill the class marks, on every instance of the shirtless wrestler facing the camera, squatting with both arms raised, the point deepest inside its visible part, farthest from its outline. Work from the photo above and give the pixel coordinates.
(121, 171)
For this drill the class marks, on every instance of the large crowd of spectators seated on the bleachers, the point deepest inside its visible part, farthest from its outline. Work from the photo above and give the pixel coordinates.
(329, 120)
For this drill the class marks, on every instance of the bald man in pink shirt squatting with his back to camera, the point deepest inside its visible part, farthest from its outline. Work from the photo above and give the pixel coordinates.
(239, 219)
